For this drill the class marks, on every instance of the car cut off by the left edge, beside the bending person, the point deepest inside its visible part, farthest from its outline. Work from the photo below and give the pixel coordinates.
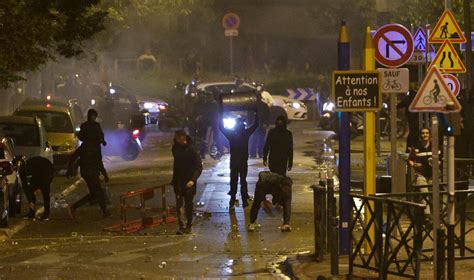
(10, 182)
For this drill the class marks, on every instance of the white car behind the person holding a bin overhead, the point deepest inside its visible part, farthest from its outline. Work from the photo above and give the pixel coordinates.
(292, 109)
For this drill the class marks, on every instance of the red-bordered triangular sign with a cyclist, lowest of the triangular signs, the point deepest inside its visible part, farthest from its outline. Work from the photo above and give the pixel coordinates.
(433, 94)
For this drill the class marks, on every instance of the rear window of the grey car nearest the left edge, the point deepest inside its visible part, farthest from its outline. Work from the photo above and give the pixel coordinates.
(22, 134)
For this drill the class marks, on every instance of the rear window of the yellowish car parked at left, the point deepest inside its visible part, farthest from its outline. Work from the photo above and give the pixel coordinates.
(55, 122)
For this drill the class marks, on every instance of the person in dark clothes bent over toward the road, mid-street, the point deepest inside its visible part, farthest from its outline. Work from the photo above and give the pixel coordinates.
(280, 188)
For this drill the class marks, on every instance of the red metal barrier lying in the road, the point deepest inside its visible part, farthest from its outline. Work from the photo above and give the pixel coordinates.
(146, 220)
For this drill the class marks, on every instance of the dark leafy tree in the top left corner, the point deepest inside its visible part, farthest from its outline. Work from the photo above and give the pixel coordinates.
(34, 31)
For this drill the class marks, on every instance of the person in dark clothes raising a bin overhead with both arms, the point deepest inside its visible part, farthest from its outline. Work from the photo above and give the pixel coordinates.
(239, 155)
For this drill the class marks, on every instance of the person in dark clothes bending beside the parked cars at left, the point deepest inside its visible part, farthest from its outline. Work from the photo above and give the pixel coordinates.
(37, 174)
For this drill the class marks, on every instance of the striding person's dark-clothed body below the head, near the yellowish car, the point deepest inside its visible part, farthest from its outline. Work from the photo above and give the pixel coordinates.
(90, 162)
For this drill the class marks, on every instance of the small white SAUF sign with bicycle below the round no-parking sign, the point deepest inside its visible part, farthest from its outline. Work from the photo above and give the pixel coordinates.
(394, 80)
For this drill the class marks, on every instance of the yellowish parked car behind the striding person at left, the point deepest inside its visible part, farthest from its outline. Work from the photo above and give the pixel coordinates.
(60, 125)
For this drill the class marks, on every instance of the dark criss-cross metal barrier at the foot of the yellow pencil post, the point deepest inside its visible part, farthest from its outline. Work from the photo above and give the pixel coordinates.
(396, 246)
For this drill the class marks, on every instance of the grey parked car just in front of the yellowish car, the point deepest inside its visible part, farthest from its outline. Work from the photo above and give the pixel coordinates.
(28, 135)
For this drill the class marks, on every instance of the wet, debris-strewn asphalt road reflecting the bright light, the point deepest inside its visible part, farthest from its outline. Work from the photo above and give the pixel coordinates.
(220, 246)
